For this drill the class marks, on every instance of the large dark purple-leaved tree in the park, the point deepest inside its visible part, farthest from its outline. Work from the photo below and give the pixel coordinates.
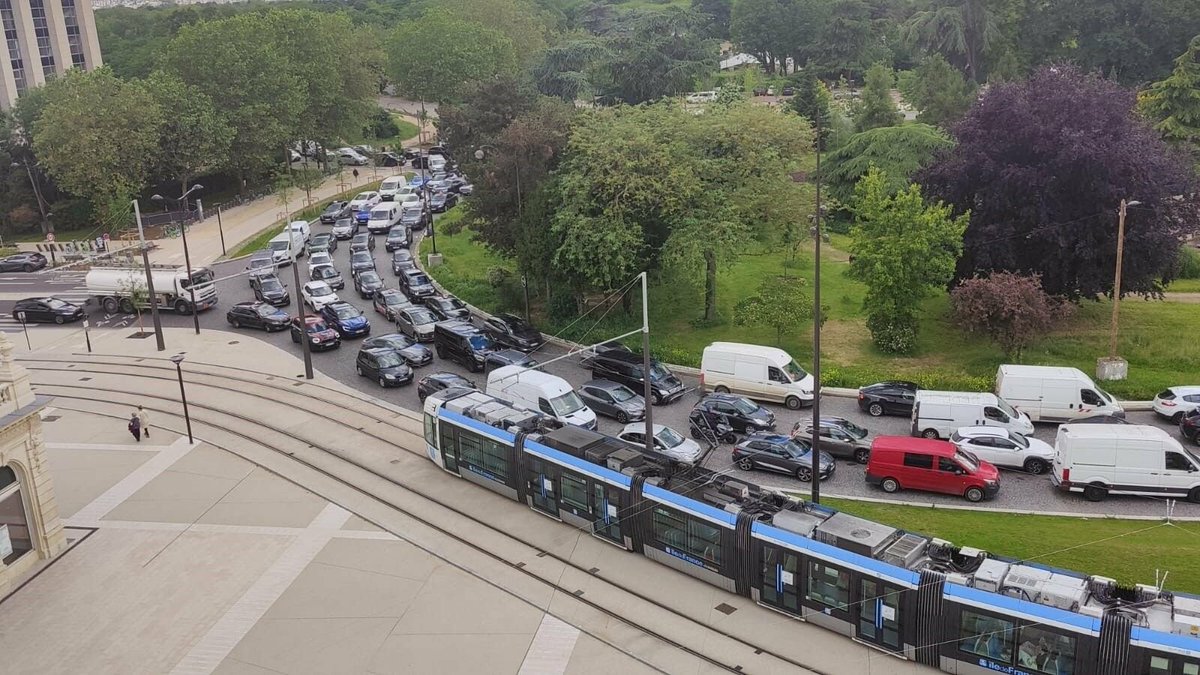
(1043, 205)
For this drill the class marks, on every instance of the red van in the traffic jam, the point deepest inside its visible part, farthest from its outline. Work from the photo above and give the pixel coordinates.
(935, 467)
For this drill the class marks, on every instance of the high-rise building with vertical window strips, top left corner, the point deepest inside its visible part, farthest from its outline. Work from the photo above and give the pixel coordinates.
(45, 38)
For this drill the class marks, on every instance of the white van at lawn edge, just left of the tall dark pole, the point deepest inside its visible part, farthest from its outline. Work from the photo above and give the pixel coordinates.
(754, 372)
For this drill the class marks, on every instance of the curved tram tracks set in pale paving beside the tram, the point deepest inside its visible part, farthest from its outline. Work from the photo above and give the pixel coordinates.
(403, 433)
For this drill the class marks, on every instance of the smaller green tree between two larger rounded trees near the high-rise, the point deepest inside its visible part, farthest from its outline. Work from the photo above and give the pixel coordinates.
(193, 136)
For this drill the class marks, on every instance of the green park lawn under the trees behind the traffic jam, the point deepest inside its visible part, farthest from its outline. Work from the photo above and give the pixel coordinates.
(1150, 336)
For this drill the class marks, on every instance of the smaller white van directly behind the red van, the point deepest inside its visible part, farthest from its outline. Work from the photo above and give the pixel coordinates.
(938, 415)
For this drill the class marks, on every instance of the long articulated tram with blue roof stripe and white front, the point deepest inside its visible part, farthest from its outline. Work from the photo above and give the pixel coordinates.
(958, 614)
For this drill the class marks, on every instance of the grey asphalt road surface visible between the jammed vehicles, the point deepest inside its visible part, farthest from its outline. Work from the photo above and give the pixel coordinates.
(1019, 492)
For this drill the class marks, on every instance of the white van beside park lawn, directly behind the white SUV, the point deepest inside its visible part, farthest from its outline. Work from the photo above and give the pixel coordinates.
(1053, 393)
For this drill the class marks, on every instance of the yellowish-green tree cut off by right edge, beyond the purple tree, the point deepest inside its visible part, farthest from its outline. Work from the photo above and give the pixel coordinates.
(1174, 104)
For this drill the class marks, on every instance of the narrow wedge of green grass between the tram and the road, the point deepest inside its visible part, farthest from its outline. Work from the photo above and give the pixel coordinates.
(1127, 551)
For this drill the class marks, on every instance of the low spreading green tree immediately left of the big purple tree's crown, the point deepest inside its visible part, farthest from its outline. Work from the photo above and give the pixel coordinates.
(899, 152)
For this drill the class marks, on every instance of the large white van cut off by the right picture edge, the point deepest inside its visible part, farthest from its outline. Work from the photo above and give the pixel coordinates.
(1124, 459)
